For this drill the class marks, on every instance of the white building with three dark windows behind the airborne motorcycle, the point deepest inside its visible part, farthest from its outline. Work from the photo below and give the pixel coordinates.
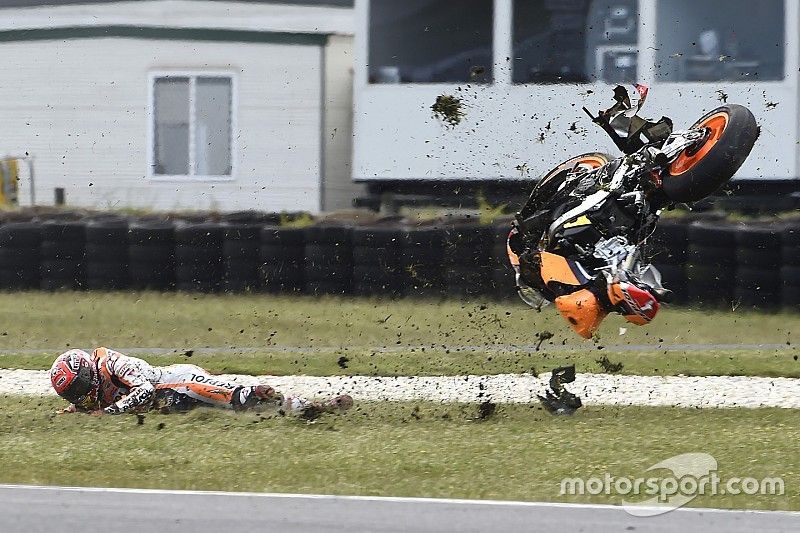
(524, 69)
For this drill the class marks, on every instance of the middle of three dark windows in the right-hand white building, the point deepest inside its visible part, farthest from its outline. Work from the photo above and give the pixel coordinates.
(575, 41)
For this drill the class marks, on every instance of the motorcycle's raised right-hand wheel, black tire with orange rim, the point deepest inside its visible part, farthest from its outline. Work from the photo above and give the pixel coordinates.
(732, 144)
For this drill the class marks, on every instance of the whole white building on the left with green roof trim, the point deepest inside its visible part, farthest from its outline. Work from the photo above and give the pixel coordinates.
(180, 104)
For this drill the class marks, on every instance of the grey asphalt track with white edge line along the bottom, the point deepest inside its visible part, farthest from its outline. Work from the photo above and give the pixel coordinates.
(66, 510)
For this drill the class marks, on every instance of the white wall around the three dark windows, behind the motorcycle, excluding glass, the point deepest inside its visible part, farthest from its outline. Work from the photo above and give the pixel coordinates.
(509, 126)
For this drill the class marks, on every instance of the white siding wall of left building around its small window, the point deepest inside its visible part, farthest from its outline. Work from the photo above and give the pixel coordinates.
(80, 107)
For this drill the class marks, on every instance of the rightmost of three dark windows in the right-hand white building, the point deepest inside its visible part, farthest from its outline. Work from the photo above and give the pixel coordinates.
(720, 40)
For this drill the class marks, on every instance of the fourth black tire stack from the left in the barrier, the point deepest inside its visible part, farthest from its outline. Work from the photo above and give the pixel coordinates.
(151, 255)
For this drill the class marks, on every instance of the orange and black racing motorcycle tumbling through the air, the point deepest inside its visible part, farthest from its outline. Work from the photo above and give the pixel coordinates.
(580, 240)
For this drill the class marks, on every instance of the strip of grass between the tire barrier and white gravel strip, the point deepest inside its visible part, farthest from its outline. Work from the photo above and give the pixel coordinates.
(261, 334)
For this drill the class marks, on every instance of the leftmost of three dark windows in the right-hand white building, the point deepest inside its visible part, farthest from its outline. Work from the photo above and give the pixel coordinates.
(430, 41)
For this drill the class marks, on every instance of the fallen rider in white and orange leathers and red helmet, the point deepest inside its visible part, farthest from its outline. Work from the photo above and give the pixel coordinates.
(110, 382)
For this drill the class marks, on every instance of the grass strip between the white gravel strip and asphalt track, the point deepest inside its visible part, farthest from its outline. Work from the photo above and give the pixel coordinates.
(398, 449)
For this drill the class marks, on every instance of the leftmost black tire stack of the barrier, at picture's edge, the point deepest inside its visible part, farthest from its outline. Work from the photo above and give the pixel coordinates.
(20, 255)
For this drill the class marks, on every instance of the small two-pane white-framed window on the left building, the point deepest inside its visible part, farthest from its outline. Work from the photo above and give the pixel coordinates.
(192, 124)
